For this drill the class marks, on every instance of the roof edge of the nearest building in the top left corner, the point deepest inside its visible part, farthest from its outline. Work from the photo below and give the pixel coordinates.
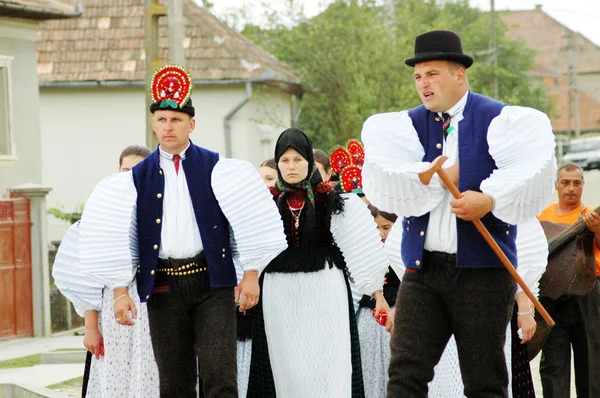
(39, 10)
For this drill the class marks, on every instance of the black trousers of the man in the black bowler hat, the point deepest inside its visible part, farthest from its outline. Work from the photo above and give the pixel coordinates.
(441, 300)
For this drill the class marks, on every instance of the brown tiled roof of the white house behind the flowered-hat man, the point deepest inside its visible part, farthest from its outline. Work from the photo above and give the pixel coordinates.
(107, 44)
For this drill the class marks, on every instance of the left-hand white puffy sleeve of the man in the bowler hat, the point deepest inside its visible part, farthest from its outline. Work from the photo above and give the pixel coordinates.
(393, 161)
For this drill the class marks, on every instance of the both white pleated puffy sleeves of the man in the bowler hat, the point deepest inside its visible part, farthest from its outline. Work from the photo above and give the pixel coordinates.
(520, 142)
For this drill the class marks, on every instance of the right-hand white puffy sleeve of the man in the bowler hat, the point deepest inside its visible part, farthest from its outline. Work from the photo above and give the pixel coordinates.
(522, 144)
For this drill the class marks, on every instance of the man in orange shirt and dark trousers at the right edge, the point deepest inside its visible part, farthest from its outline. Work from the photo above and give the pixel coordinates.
(577, 318)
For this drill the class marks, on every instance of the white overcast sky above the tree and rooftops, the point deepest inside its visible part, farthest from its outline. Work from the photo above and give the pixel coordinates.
(581, 16)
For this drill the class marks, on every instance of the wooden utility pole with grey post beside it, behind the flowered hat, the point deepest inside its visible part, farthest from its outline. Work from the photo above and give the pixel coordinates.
(153, 11)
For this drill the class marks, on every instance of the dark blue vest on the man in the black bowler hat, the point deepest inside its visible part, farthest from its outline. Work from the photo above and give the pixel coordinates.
(476, 165)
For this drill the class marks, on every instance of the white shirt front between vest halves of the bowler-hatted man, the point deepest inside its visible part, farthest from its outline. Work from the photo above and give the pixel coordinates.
(441, 232)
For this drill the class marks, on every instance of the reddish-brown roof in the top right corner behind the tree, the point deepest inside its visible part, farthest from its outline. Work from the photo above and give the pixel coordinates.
(548, 38)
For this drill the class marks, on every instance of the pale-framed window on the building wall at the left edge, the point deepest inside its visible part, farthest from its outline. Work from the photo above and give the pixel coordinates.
(7, 142)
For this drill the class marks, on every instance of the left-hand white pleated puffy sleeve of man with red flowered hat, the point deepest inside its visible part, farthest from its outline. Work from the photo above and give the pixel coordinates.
(108, 249)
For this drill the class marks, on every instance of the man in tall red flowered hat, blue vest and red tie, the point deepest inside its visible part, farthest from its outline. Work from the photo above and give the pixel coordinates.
(187, 214)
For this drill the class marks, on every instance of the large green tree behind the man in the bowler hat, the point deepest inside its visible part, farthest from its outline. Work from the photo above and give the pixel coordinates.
(351, 58)
